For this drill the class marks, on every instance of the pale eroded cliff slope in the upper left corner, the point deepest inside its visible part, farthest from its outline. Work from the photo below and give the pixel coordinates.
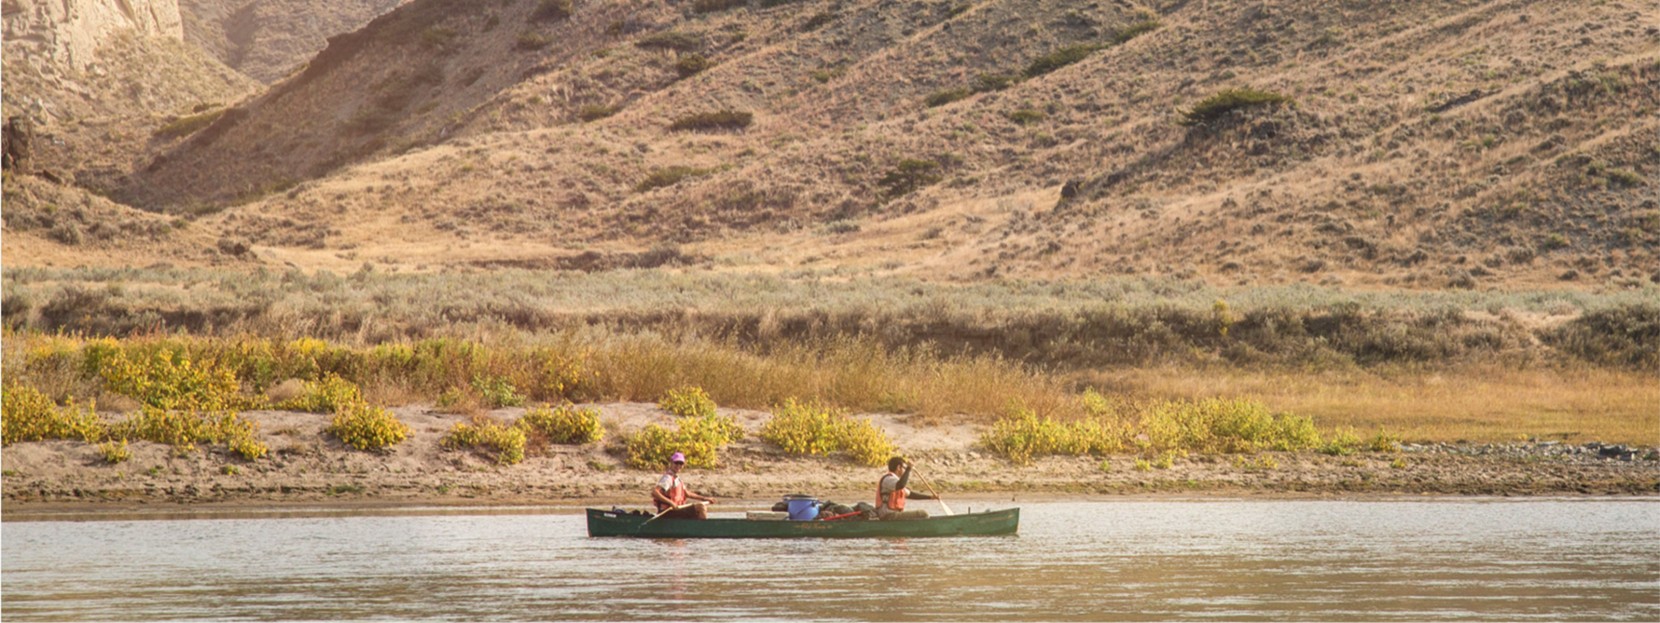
(102, 79)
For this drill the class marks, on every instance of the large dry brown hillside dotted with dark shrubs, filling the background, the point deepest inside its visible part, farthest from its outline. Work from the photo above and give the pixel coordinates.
(1428, 145)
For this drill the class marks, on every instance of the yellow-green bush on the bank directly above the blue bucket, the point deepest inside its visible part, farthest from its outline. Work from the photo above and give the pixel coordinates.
(818, 429)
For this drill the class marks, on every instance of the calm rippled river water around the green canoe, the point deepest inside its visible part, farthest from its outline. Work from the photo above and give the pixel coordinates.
(1257, 561)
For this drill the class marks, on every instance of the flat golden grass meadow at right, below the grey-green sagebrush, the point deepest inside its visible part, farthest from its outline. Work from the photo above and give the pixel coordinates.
(1478, 405)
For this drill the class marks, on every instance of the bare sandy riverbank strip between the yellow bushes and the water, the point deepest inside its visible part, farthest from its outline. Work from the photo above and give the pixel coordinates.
(310, 469)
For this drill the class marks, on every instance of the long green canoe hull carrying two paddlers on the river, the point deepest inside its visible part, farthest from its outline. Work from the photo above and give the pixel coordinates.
(622, 524)
